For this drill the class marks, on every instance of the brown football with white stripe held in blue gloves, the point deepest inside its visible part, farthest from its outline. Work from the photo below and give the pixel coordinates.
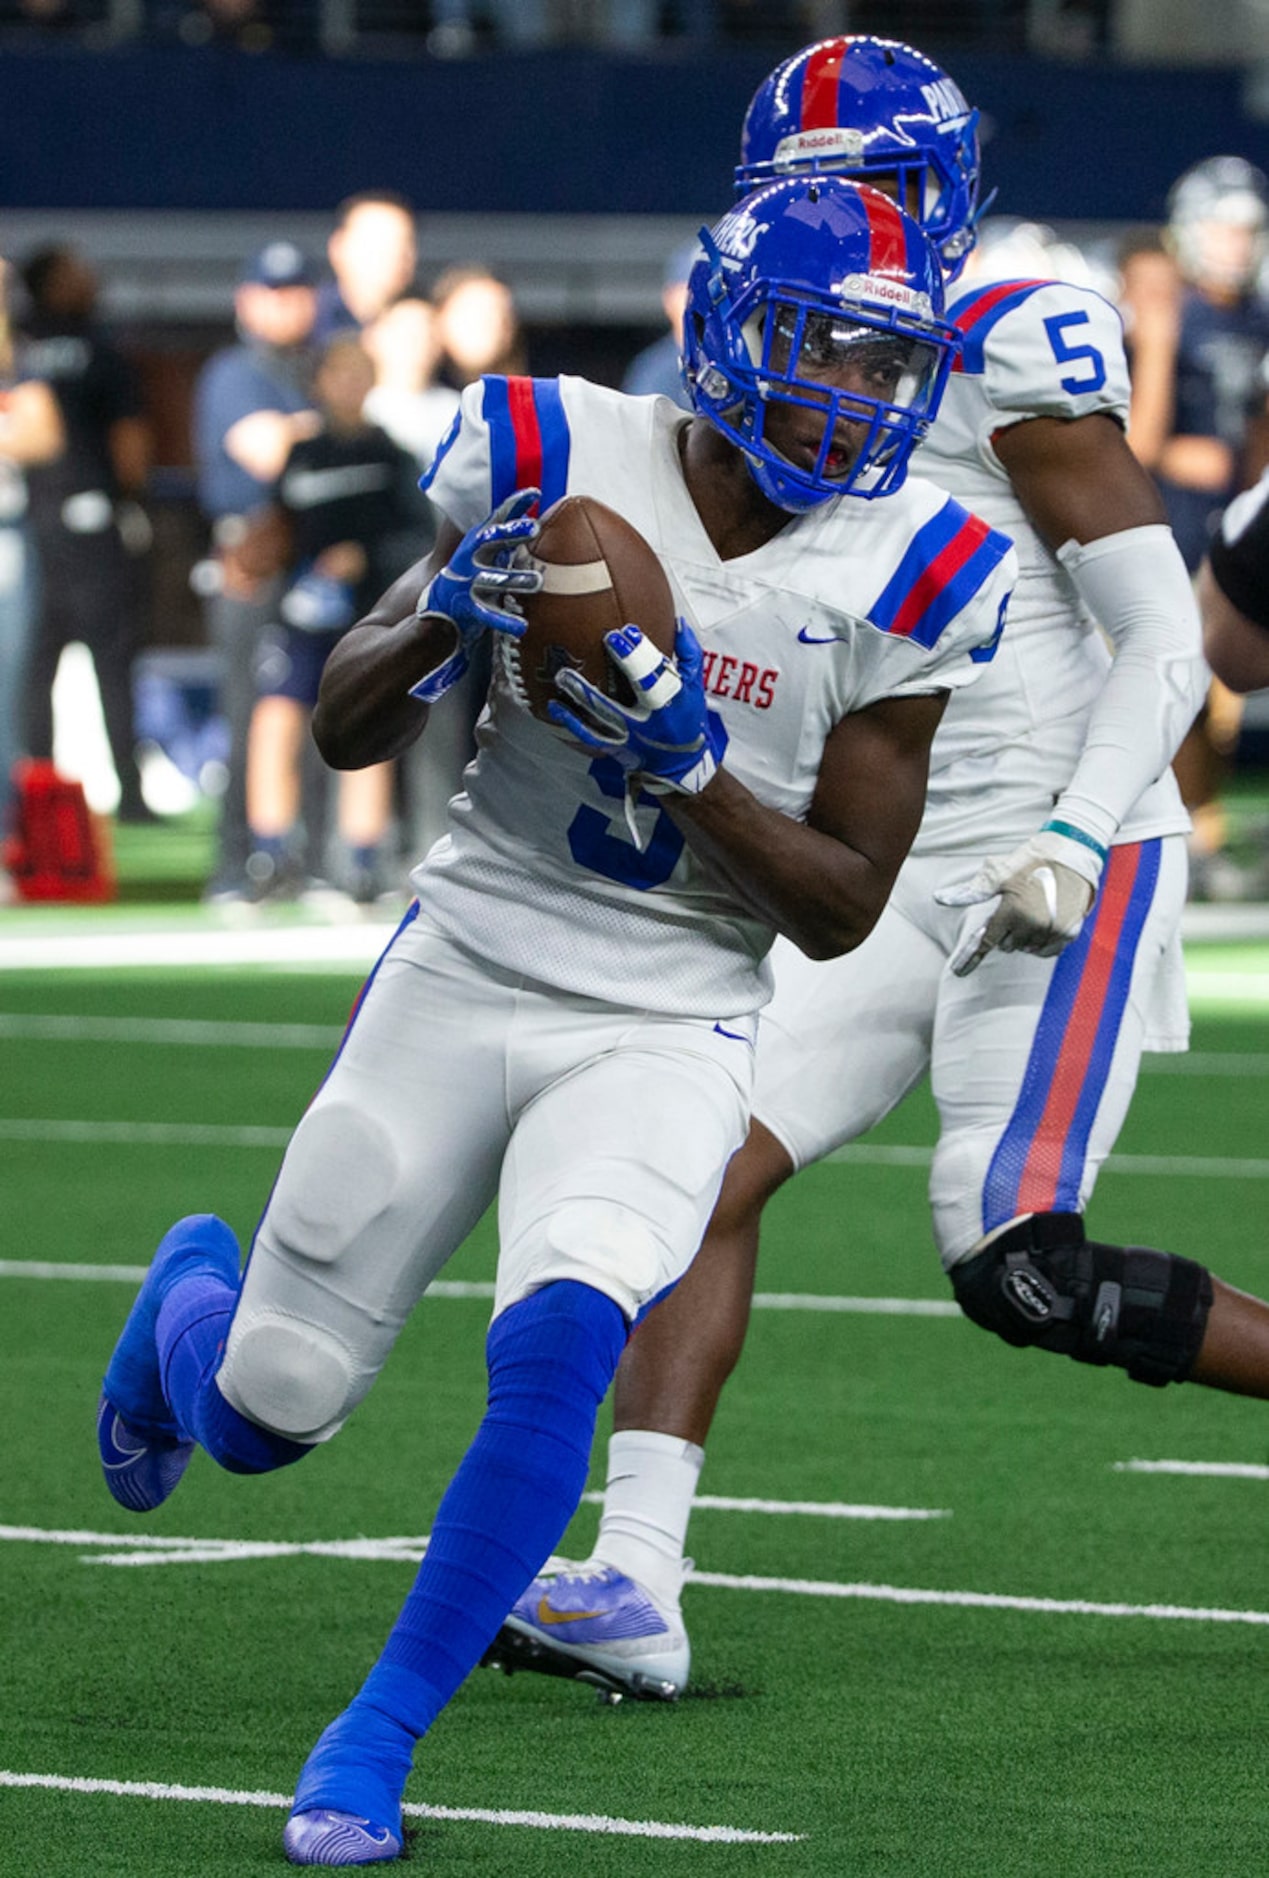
(598, 574)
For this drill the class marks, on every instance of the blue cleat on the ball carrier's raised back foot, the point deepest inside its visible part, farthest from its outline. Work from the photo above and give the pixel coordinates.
(144, 1449)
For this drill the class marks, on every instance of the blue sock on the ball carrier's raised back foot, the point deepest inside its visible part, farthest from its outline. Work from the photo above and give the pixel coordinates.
(191, 1334)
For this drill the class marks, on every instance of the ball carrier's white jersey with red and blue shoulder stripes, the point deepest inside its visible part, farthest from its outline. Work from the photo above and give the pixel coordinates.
(851, 604)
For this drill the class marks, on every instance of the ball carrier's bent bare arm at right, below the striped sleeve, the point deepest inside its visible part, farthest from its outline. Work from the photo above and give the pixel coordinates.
(825, 882)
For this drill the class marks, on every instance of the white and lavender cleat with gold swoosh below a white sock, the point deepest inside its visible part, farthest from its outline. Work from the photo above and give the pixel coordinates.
(596, 1627)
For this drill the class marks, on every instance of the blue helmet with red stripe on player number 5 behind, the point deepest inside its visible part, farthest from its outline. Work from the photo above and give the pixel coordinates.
(859, 106)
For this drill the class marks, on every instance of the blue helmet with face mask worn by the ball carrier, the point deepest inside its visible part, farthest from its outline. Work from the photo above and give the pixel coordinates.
(823, 296)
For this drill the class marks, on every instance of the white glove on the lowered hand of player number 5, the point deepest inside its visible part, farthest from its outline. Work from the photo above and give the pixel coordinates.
(1045, 895)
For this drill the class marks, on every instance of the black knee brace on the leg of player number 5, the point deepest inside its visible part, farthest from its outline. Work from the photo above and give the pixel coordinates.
(1043, 1284)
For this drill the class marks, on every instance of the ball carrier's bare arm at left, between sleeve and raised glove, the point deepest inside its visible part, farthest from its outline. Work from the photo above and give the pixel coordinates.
(365, 713)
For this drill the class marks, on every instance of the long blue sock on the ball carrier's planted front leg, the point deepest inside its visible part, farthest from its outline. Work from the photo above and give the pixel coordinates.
(551, 1361)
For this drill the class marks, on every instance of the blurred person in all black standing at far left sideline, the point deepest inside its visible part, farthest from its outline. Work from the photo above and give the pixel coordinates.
(91, 534)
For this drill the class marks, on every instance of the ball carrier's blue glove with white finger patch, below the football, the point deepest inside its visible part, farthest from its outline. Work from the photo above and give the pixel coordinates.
(667, 737)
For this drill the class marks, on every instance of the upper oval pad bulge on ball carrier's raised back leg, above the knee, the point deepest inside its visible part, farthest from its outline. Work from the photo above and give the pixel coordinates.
(339, 1177)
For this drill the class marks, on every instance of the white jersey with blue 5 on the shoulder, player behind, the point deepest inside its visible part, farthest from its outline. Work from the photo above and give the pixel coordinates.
(1005, 752)
